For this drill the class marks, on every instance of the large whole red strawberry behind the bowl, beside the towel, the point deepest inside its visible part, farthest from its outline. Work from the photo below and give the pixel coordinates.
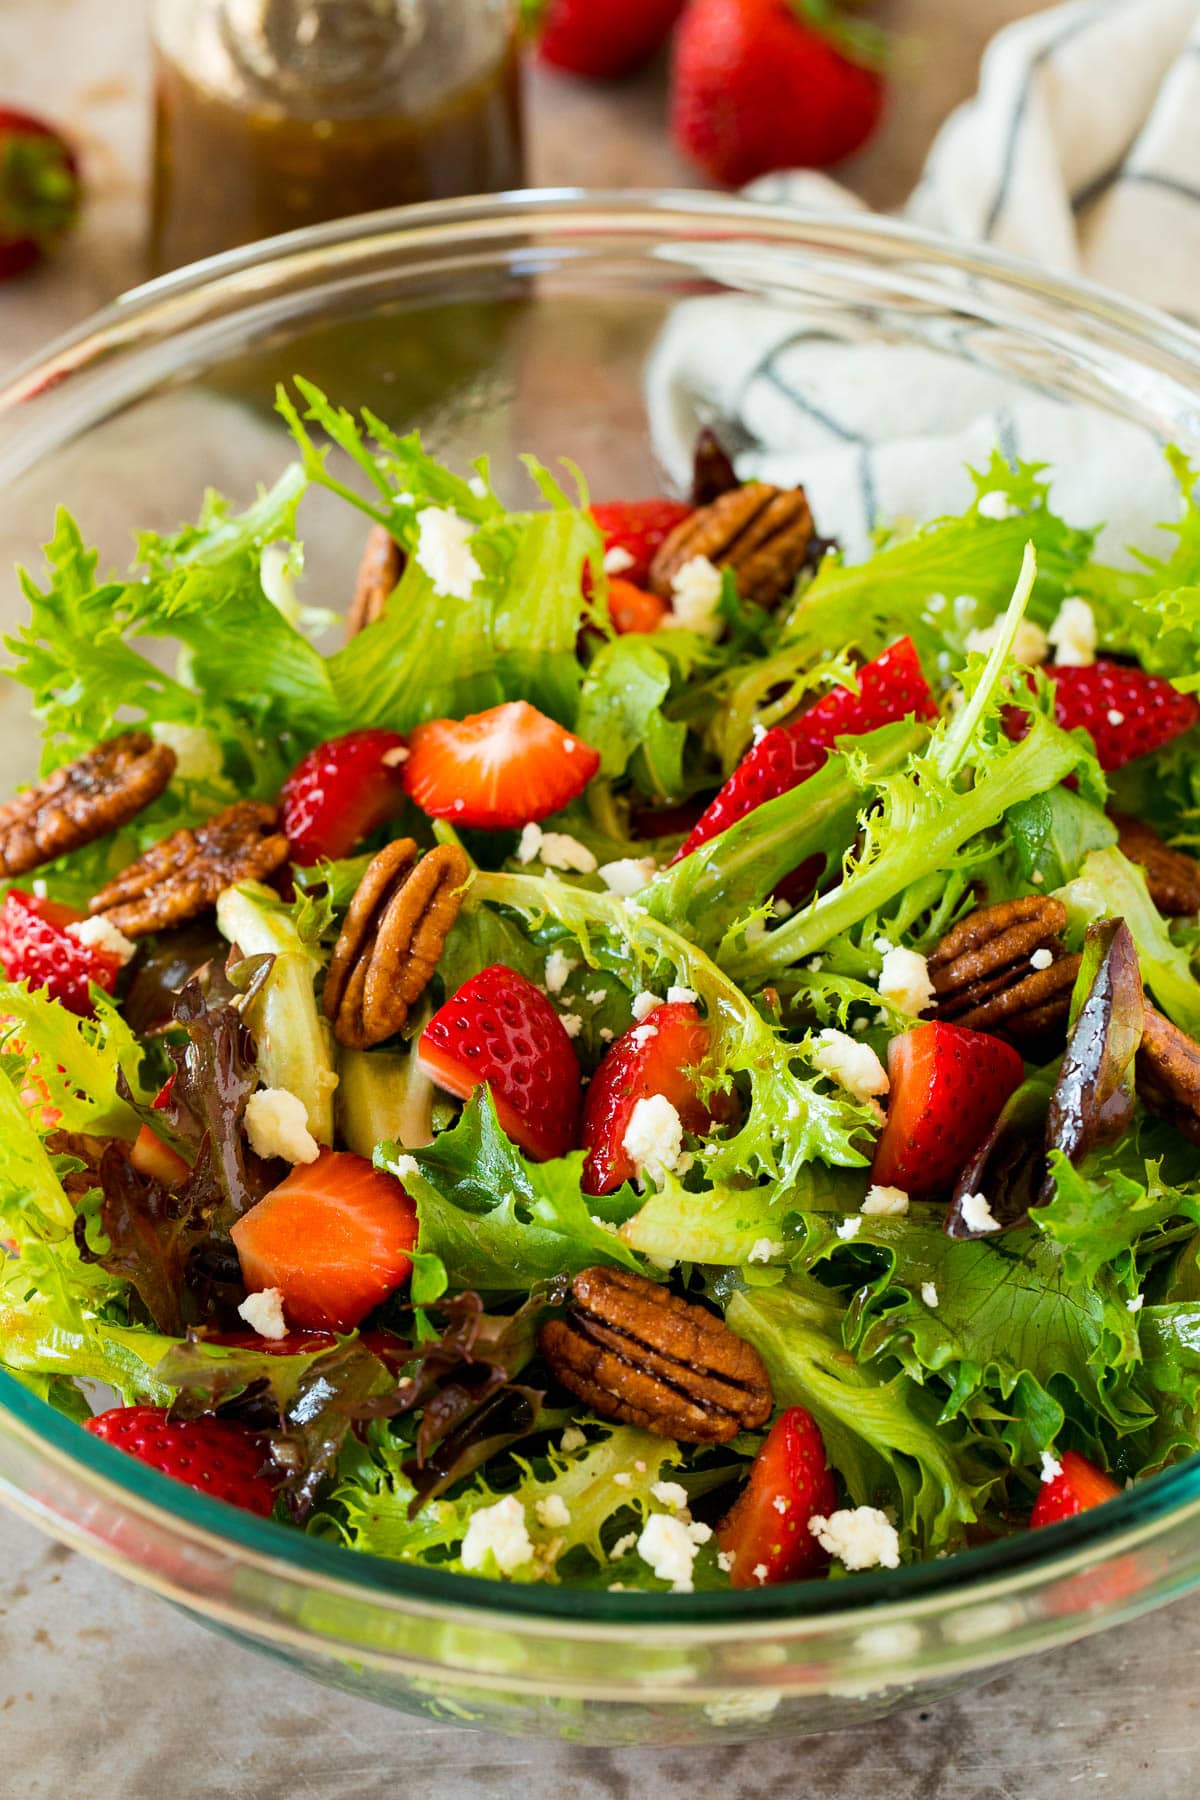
(755, 87)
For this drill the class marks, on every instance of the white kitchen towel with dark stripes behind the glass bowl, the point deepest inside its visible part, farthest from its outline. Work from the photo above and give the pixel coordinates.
(1080, 152)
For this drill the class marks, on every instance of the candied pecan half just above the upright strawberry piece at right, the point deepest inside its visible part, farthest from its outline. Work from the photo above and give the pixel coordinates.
(985, 978)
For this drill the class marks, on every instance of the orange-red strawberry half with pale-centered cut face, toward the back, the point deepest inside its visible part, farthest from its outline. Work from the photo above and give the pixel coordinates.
(497, 769)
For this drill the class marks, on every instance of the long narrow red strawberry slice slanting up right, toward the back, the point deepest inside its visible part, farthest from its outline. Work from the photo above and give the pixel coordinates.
(890, 688)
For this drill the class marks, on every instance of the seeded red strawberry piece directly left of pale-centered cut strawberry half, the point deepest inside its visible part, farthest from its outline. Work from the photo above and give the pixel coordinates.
(341, 793)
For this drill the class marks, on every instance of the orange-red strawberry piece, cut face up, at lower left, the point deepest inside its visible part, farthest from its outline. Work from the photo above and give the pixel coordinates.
(334, 1237)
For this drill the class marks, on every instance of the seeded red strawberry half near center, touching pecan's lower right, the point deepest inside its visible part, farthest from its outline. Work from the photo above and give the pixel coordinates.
(505, 1032)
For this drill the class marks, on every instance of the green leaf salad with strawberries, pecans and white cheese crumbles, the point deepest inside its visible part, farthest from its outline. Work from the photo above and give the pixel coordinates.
(667, 1061)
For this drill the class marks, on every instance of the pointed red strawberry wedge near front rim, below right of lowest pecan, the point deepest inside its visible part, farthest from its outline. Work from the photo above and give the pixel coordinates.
(766, 1531)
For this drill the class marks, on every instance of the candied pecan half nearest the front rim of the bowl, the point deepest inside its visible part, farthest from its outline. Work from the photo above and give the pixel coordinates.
(632, 1351)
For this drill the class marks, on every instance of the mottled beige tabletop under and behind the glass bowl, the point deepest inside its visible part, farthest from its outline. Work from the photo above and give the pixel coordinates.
(103, 1691)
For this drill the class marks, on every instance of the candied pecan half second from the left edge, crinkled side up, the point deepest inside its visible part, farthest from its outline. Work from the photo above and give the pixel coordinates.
(183, 876)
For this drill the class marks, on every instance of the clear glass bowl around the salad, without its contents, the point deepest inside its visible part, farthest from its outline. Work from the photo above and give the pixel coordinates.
(868, 357)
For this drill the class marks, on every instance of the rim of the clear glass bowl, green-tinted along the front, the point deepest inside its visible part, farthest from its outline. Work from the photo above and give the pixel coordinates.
(1095, 319)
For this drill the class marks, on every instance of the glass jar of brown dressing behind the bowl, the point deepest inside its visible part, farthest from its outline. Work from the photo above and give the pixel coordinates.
(274, 114)
